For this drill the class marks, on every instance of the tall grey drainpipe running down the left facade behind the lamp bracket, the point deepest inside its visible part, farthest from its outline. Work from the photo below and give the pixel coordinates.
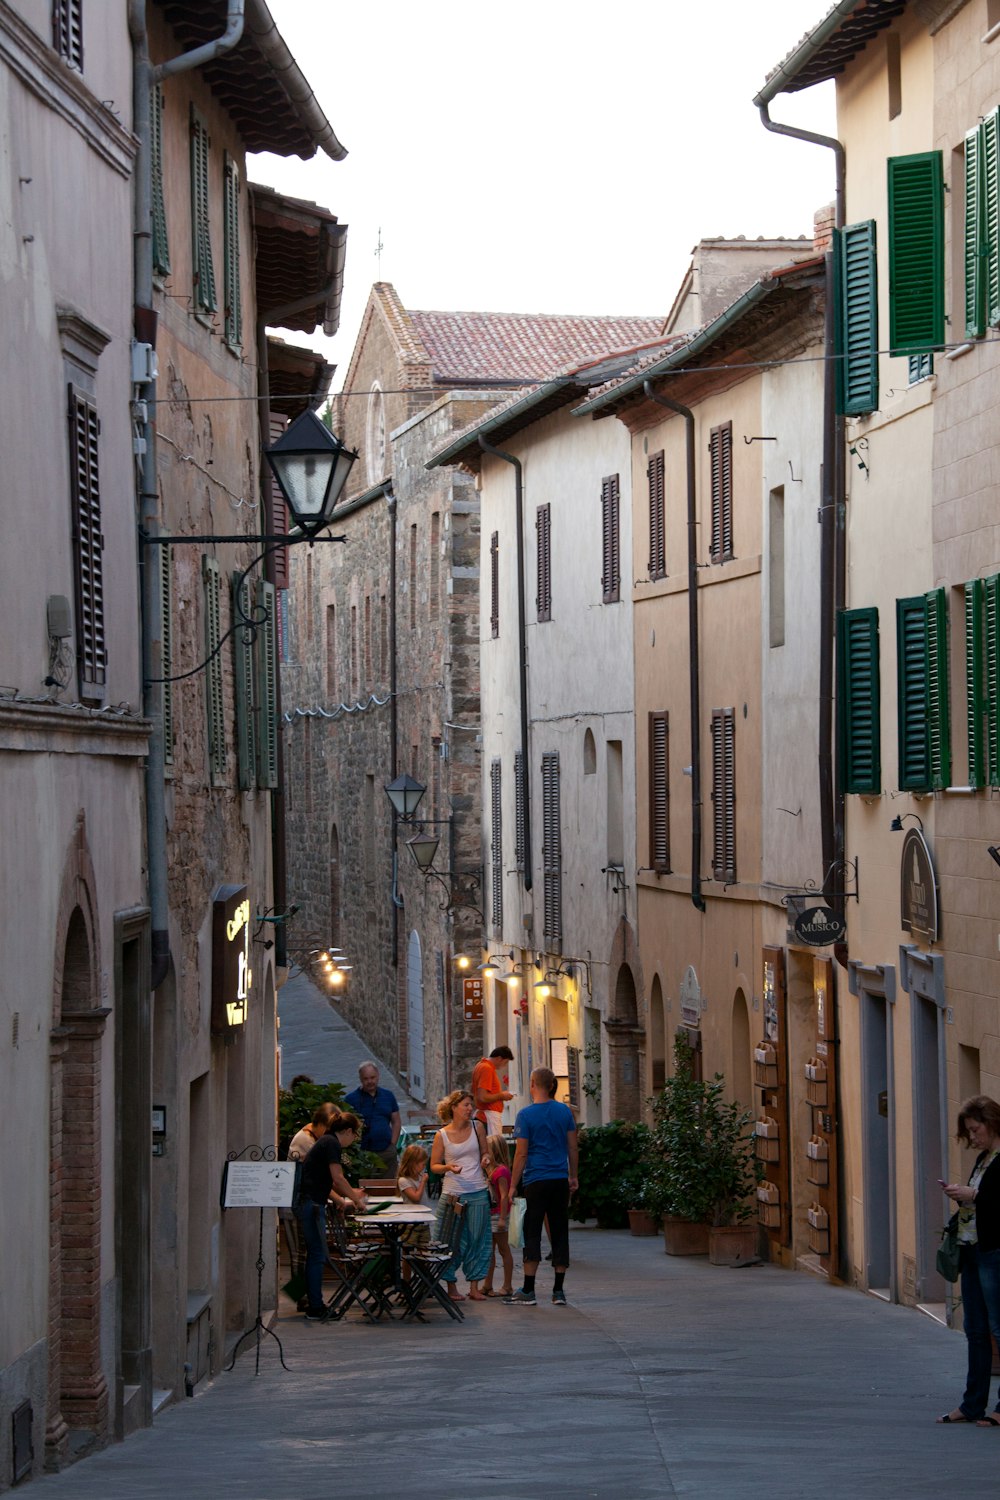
(145, 319)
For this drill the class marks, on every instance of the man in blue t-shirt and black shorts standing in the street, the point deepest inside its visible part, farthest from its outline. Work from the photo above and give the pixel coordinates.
(546, 1166)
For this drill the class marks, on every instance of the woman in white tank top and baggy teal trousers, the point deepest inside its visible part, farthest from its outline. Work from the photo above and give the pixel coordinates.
(458, 1156)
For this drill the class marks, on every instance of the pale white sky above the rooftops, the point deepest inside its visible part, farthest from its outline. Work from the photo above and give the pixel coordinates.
(545, 155)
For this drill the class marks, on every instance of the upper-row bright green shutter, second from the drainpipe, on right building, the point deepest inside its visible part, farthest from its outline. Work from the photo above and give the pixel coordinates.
(917, 253)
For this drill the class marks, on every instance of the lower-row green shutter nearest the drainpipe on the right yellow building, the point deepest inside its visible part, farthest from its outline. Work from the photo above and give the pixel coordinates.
(860, 701)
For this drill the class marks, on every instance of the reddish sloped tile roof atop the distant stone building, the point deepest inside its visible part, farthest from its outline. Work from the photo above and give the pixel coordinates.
(469, 349)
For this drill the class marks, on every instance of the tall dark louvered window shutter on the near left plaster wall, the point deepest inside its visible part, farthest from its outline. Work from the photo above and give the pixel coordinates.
(92, 653)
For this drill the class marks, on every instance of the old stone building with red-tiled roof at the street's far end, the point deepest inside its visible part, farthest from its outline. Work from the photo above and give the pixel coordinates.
(382, 677)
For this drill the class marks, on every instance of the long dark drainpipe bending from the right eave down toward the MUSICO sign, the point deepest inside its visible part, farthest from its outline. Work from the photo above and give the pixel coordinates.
(833, 541)
